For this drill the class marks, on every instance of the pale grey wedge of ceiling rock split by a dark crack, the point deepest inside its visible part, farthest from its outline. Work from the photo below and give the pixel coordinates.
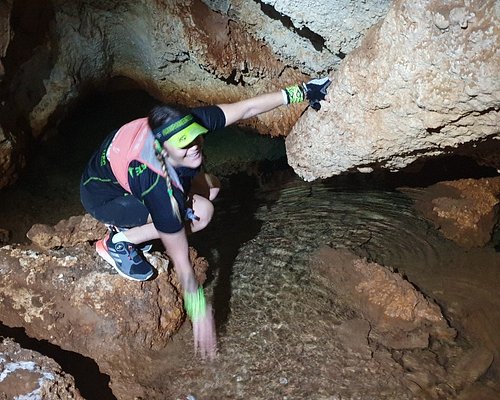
(311, 35)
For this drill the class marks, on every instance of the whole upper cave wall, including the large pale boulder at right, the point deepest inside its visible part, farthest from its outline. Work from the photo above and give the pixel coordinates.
(410, 79)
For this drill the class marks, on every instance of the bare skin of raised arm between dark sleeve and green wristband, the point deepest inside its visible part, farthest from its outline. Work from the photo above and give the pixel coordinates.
(248, 108)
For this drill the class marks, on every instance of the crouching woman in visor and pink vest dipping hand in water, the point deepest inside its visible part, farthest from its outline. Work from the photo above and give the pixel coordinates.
(145, 183)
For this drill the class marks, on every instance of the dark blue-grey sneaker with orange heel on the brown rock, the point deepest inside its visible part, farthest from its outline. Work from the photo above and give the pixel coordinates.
(125, 258)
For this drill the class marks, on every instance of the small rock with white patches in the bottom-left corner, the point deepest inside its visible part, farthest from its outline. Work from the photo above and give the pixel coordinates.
(26, 374)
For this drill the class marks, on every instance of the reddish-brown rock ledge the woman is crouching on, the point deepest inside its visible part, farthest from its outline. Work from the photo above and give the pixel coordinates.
(75, 300)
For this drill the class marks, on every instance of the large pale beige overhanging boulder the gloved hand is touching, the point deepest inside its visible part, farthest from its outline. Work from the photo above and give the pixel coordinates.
(423, 82)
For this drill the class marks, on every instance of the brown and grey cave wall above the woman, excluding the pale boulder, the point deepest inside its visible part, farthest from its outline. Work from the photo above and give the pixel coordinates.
(185, 51)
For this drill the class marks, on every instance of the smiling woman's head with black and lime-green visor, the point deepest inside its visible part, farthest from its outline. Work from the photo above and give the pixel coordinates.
(177, 132)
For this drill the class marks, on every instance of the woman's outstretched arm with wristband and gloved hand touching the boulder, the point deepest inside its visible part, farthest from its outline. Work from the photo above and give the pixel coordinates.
(312, 91)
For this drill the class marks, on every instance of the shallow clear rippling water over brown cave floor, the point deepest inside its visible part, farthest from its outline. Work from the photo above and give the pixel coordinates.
(278, 324)
